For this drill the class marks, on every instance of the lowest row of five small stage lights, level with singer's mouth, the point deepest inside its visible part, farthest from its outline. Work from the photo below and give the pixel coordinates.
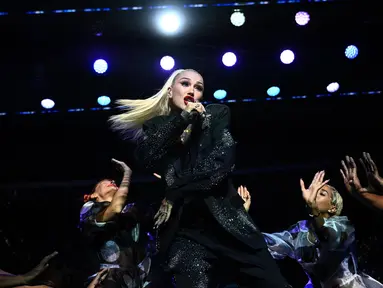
(218, 94)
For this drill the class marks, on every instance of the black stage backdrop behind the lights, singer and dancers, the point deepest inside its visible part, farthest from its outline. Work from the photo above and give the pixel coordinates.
(48, 161)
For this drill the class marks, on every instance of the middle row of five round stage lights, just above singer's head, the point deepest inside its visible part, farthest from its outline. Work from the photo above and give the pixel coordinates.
(229, 59)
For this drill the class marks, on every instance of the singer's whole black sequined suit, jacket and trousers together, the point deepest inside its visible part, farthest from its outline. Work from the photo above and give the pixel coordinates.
(209, 232)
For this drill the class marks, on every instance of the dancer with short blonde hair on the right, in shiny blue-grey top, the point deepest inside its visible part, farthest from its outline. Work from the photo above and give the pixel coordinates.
(323, 245)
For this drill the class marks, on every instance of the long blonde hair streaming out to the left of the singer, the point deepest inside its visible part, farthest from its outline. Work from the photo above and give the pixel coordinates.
(138, 111)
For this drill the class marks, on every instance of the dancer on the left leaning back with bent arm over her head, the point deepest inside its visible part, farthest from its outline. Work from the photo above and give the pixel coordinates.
(114, 232)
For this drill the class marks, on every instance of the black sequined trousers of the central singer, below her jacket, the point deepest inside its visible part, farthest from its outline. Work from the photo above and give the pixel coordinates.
(195, 266)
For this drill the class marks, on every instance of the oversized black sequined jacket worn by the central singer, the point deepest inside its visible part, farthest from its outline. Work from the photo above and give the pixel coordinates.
(200, 168)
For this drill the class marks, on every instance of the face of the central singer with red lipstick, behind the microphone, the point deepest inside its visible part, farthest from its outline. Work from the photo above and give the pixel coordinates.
(187, 83)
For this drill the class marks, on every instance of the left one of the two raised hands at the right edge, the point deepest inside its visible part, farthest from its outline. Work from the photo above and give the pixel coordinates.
(350, 176)
